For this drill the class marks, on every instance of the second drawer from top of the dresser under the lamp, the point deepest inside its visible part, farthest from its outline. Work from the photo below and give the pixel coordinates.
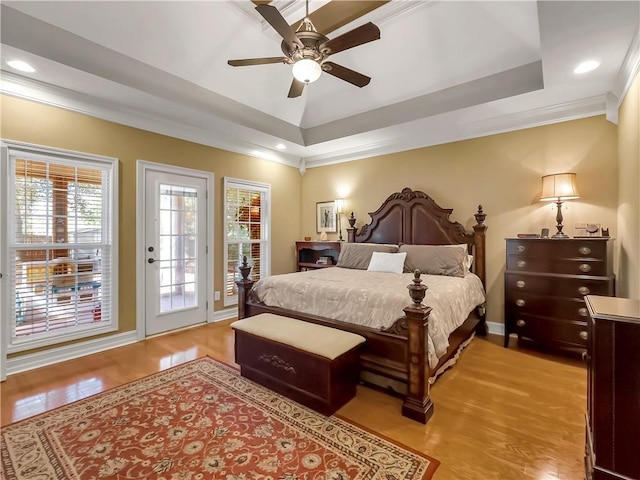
(567, 266)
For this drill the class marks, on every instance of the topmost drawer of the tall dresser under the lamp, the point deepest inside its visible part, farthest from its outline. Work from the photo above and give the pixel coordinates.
(567, 249)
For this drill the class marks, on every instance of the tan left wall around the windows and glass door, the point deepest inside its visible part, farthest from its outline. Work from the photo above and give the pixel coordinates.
(44, 125)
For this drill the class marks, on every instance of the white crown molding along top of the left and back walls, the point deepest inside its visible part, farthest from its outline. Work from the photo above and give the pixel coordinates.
(408, 136)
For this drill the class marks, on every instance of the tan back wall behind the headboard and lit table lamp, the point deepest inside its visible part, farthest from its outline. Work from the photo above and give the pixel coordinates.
(502, 172)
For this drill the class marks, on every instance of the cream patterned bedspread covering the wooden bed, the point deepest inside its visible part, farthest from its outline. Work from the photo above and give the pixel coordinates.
(375, 299)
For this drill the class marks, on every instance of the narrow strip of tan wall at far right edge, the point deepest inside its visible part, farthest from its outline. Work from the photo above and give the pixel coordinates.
(629, 193)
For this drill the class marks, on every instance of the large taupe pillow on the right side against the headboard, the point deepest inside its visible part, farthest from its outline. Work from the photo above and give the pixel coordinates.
(435, 259)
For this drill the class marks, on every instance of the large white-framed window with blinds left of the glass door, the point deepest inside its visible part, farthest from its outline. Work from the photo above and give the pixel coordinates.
(61, 238)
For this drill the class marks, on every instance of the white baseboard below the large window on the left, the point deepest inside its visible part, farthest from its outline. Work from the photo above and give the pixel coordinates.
(68, 352)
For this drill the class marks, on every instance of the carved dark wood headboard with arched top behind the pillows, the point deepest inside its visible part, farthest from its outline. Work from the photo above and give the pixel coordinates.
(414, 218)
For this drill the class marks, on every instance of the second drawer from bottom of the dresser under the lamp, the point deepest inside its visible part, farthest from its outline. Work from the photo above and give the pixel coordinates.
(564, 308)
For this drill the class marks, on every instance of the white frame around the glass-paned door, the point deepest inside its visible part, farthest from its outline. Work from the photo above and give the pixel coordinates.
(142, 166)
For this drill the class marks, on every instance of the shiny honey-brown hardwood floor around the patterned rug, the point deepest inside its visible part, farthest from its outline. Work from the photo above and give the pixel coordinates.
(499, 413)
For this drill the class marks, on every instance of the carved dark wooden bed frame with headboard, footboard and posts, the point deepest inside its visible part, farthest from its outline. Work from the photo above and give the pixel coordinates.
(399, 353)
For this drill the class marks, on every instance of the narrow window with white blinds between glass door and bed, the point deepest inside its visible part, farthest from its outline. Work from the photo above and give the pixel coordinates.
(247, 232)
